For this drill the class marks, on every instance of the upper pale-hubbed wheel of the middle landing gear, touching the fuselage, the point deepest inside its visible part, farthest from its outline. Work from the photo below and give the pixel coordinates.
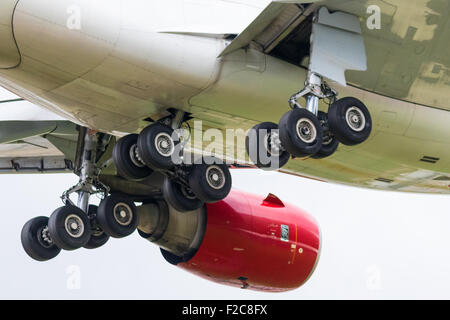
(156, 146)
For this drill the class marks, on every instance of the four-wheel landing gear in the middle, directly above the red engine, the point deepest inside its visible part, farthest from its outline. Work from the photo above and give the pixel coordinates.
(186, 187)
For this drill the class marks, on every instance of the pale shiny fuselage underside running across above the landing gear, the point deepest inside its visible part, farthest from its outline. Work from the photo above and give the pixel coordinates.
(112, 67)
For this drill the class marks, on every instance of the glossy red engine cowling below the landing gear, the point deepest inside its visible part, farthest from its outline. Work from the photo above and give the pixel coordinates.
(243, 244)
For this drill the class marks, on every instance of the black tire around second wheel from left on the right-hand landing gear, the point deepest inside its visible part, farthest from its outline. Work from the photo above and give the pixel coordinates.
(290, 139)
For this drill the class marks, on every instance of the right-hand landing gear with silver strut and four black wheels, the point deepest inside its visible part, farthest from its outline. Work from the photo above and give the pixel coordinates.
(308, 132)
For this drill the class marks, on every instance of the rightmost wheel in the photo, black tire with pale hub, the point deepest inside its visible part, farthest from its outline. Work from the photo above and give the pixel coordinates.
(350, 121)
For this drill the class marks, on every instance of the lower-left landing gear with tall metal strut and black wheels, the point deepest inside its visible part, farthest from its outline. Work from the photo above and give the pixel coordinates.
(71, 226)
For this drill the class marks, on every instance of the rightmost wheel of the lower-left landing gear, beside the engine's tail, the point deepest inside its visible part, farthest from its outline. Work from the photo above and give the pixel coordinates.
(117, 216)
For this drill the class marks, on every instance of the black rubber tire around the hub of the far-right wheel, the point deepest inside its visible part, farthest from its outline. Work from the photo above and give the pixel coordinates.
(339, 126)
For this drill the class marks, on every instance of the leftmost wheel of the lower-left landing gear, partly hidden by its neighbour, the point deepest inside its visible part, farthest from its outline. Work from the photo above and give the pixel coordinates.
(36, 241)
